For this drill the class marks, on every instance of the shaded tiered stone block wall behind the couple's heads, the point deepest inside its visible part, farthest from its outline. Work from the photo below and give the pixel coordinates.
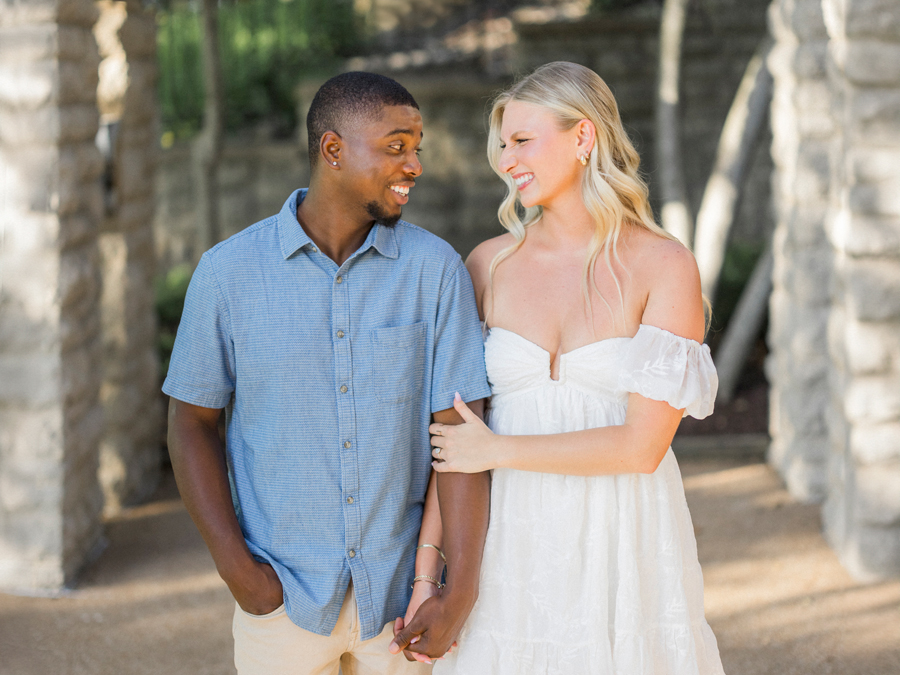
(458, 195)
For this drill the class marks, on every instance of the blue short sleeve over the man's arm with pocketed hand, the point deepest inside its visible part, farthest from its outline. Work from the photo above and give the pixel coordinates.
(202, 370)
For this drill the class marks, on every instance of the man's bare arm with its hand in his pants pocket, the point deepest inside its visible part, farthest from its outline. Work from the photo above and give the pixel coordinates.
(198, 460)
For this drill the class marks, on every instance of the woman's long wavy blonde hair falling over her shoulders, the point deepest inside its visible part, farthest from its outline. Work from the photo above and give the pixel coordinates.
(612, 189)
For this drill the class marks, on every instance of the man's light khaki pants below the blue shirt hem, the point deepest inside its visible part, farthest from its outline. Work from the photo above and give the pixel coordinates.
(272, 645)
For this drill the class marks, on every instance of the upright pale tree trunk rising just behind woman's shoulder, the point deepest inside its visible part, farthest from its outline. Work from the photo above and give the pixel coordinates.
(676, 212)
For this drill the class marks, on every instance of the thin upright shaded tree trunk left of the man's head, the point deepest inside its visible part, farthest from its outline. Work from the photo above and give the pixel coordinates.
(207, 148)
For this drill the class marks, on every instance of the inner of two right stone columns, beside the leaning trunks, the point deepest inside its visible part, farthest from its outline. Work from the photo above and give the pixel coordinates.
(802, 129)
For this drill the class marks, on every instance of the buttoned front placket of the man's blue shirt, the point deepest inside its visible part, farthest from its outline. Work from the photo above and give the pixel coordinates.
(342, 337)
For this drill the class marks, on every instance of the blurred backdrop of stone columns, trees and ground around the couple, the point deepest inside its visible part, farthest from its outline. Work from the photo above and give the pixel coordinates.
(136, 134)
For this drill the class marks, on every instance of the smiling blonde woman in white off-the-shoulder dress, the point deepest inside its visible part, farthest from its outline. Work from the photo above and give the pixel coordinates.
(594, 353)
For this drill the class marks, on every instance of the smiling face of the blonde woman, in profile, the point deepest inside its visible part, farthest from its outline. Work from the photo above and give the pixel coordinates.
(542, 159)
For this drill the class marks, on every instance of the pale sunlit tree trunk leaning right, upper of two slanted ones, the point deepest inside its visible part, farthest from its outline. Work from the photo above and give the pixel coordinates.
(746, 118)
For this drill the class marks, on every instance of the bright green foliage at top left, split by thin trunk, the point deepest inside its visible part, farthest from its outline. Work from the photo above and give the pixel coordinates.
(266, 46)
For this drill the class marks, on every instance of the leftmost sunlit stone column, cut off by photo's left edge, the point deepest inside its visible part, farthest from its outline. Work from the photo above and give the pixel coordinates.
(50, 204)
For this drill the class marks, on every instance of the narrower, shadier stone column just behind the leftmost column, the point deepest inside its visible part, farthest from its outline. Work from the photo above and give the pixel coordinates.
(130, 452)
